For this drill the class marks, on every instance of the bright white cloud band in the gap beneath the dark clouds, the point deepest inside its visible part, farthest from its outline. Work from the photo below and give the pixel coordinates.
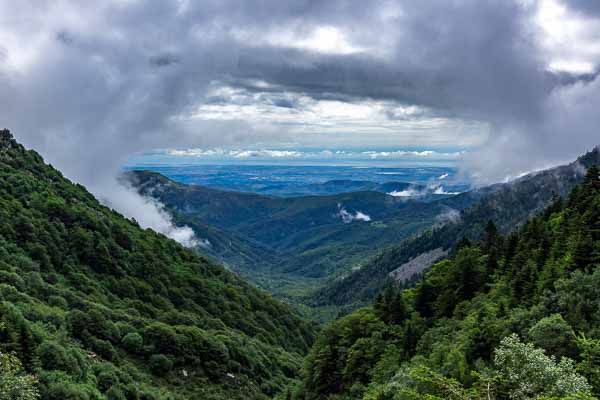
(336, 123)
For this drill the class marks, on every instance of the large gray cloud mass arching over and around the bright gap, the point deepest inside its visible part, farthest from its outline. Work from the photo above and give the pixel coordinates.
(89, 85)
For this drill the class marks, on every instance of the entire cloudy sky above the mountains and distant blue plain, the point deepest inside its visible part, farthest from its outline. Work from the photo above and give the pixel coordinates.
(506, 85)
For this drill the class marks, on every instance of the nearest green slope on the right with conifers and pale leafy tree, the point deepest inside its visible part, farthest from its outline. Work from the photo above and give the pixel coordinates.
(512, 317)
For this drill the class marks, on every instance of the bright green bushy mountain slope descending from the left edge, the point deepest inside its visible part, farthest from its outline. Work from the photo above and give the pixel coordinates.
(93, 306)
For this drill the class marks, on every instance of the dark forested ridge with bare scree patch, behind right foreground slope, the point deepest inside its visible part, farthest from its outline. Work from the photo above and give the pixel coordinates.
(508, 205)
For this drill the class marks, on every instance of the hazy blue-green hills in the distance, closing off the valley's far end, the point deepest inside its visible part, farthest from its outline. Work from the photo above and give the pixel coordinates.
(309, 237)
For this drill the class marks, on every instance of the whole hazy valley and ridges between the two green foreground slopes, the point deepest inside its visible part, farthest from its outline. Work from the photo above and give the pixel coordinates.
(336, 250)
